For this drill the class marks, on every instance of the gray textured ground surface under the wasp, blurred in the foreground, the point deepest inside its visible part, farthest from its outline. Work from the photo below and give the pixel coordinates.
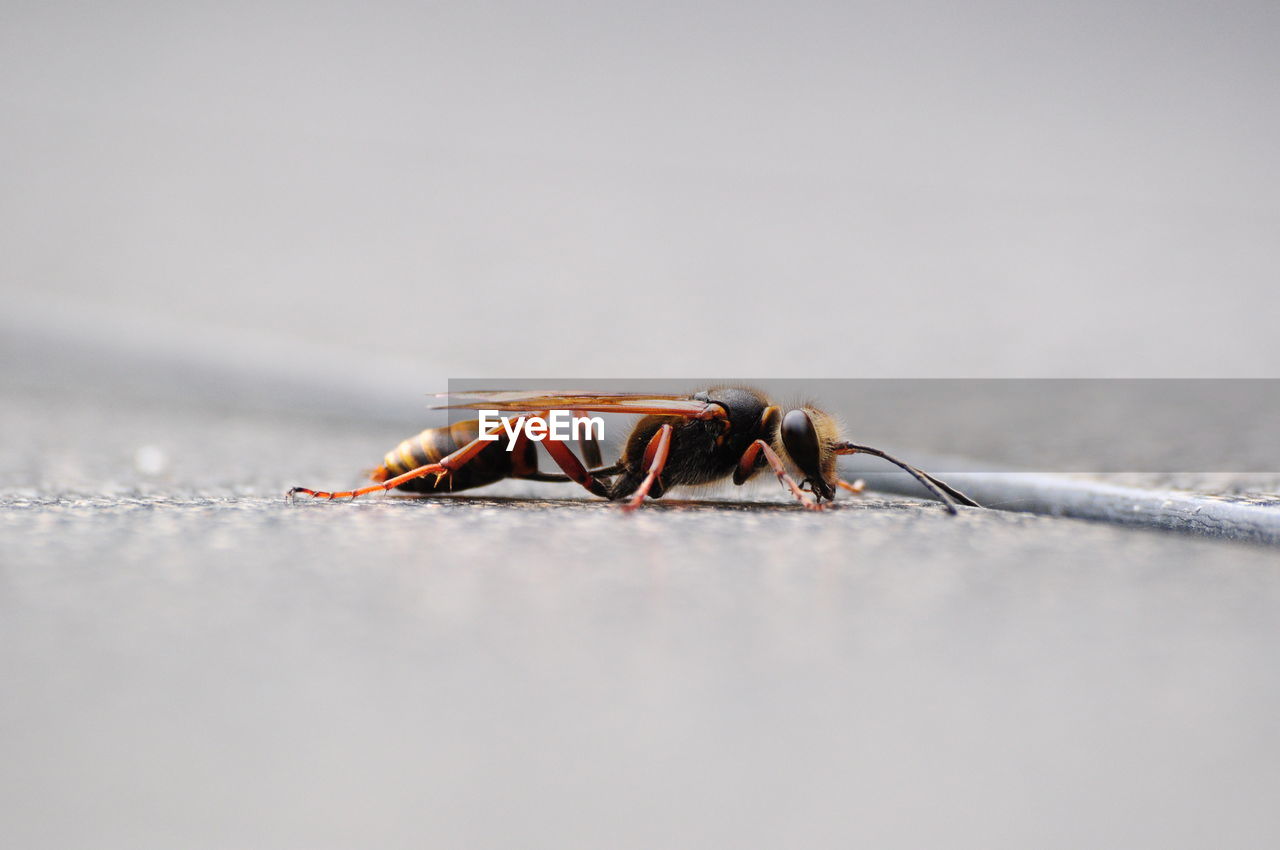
(191, 662)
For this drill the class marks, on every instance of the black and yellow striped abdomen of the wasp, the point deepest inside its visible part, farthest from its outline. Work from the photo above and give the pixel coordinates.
(493, 464)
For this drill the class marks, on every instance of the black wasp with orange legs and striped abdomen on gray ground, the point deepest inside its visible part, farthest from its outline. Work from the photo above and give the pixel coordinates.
(680, 441)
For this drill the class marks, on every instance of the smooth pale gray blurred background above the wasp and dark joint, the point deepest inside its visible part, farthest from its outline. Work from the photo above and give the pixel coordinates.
(609, 190)
